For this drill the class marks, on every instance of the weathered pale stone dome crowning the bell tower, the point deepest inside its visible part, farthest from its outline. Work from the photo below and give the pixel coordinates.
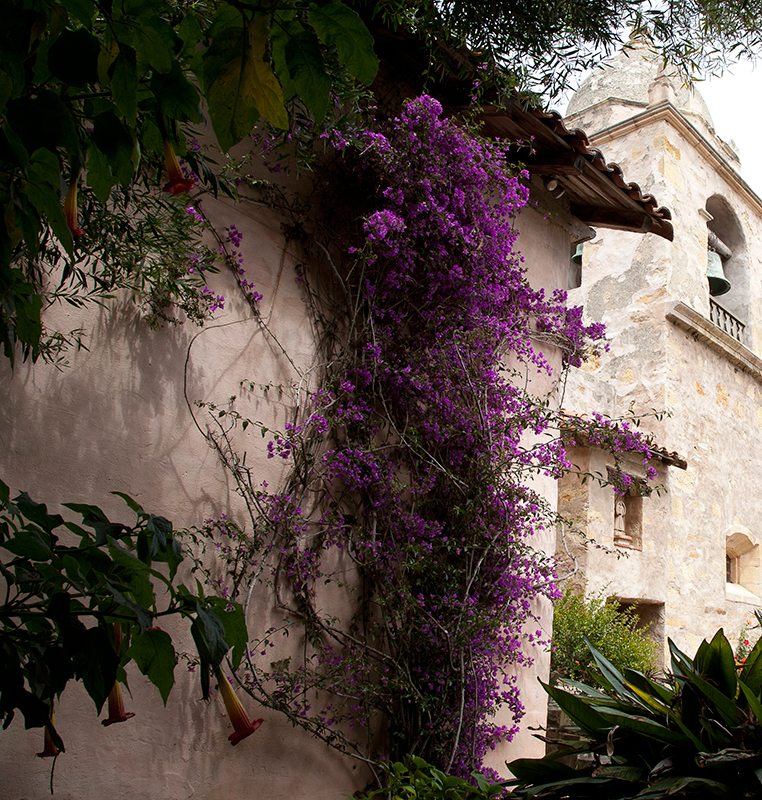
(620, 88)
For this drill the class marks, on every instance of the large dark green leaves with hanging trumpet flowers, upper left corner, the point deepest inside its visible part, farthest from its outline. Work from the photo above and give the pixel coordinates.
(89, 92)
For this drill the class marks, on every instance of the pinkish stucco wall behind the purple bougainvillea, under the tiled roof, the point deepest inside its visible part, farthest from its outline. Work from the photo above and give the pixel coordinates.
(117, 419)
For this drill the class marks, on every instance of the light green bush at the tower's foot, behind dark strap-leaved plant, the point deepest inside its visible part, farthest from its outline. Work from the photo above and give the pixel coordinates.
(611, 630)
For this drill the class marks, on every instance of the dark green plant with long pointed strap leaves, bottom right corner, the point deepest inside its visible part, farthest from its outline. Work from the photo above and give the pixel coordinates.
(695, 733)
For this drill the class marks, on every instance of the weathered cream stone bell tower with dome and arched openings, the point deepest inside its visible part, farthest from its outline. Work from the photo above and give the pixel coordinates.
(685, 324)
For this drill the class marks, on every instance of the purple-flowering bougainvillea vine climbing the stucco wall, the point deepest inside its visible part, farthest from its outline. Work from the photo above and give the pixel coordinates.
(407, 496)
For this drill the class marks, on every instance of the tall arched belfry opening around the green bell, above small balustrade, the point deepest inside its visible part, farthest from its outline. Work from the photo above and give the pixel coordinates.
(726, 240)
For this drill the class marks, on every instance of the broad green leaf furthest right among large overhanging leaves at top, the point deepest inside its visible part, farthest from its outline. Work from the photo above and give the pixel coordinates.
(340, 27)
